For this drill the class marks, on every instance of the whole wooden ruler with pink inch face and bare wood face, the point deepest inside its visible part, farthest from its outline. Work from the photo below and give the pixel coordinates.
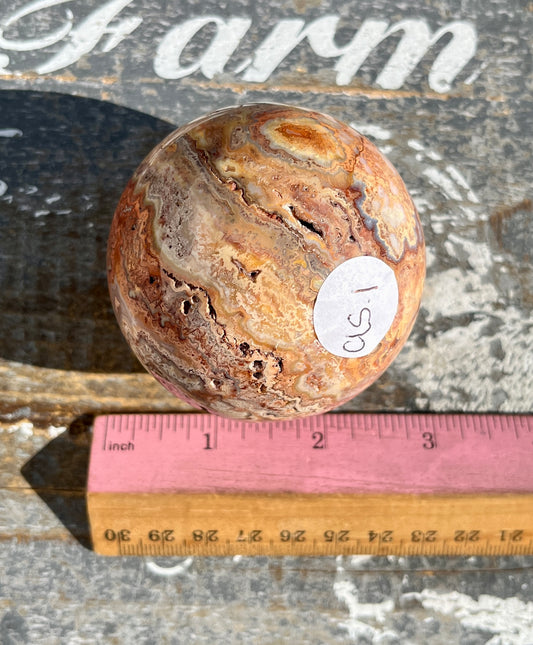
(334, 484)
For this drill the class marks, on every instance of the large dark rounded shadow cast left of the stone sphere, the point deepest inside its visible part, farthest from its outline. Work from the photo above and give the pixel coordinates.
(64, 162)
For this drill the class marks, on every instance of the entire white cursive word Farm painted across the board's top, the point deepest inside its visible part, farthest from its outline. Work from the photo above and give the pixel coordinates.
(102, 25)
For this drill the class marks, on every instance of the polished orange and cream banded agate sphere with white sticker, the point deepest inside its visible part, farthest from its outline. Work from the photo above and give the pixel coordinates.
(266, 262)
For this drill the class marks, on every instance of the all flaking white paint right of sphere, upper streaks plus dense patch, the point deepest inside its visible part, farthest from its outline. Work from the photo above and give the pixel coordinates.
(454, 361)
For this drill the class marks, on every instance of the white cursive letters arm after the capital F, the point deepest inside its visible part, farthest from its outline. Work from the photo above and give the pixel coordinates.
(415, 42)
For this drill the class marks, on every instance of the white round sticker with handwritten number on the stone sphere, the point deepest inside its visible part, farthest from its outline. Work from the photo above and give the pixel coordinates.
(355, 307)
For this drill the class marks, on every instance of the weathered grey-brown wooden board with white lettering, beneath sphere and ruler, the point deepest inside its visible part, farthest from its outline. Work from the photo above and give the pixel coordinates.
(87, 88)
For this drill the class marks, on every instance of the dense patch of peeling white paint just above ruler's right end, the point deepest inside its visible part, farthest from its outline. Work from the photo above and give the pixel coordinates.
(466, 381)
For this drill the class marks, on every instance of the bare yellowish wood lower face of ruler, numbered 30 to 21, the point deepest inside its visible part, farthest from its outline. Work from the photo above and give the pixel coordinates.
(297, 525)
